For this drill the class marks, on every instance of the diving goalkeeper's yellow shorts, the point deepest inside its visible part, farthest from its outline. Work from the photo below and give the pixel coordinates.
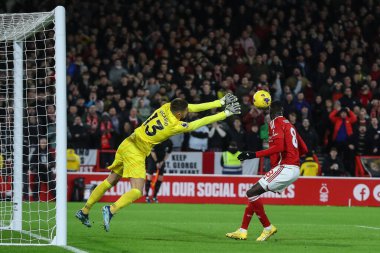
(130, 158)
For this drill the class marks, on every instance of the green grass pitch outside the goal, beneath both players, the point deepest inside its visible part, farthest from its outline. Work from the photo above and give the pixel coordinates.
(185, 228)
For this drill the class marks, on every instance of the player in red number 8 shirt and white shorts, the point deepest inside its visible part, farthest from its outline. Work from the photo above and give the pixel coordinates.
(285, 148)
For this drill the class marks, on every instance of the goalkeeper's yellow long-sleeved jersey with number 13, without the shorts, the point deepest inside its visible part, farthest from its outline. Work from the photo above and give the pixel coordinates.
(162, 124)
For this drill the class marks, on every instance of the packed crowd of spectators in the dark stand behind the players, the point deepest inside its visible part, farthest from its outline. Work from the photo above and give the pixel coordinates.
(320, 58)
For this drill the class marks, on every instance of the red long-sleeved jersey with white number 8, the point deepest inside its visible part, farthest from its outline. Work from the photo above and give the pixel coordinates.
(285, 144)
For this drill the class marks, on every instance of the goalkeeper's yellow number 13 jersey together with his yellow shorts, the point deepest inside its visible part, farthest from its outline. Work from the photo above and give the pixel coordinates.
(130, 156)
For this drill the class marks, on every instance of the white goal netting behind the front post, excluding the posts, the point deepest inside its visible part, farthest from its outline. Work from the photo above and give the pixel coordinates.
(36, 32)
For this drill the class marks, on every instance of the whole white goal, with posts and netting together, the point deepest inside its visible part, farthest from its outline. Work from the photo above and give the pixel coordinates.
(33, 128)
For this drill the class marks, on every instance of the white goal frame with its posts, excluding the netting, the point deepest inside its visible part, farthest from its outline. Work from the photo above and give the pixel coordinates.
(60, 238)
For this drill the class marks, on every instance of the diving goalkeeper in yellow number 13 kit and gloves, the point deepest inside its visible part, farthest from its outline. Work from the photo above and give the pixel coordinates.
(130, 156)
